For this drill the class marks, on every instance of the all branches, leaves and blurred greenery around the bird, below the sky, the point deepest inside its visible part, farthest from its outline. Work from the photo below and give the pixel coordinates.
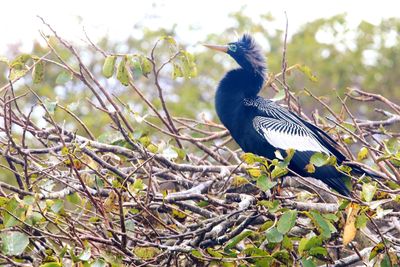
(119, 158)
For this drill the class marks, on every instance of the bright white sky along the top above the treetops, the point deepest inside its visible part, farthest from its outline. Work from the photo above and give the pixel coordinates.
(117, 17)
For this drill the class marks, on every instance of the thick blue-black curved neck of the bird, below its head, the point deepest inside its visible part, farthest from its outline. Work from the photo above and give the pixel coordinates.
(237, 85)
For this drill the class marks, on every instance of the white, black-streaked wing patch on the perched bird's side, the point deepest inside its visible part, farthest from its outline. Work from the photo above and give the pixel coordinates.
(284, 134)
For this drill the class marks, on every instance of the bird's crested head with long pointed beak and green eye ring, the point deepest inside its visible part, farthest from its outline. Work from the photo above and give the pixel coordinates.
(246, 52)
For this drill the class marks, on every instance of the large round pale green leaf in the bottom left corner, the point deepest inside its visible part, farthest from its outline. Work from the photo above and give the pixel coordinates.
(13, 243)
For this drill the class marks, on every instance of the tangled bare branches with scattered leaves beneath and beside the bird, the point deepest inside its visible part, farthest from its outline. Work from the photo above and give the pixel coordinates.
(75, 198)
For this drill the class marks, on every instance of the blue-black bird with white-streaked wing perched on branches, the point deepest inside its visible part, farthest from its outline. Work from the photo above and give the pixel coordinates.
(261, 126)
